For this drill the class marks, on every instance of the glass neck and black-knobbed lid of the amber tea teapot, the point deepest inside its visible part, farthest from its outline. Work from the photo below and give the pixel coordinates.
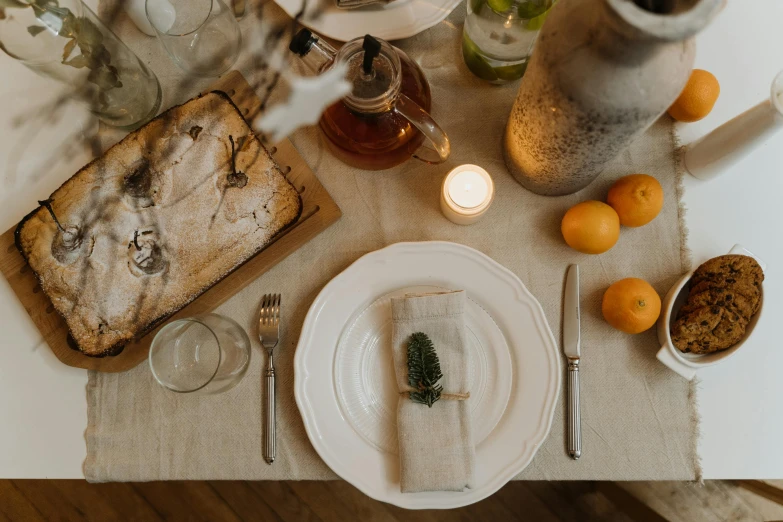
(374, 73)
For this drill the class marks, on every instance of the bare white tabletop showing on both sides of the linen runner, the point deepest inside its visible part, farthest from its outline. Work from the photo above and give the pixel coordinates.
(42, 402)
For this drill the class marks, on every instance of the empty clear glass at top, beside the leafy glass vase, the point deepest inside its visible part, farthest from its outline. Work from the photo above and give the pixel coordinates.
(201, 36)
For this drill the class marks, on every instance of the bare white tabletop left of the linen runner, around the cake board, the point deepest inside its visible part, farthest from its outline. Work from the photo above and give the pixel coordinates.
(43, 409)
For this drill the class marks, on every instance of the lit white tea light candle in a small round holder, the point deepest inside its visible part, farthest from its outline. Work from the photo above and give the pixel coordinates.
(466, 195)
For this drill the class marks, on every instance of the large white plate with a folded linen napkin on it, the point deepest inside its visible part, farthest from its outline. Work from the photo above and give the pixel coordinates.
(505, 359)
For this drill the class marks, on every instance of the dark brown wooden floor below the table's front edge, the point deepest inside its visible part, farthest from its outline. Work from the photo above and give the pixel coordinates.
(23, 500)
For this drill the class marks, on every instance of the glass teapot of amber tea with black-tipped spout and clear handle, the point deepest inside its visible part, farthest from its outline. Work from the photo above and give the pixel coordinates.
(385, 119)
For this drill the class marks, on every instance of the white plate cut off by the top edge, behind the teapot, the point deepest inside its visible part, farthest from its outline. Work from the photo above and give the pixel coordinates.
(393, 21)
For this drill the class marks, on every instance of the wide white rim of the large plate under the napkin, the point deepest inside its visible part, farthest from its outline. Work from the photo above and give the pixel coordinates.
(534, 396)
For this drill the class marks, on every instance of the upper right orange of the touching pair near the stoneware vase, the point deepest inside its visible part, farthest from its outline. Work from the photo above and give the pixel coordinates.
(637, 199)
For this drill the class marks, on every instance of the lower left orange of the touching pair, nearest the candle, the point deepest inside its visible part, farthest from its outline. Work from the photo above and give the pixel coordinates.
(591, 227)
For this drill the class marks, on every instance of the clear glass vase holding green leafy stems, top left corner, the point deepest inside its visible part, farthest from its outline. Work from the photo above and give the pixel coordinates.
(65, 40)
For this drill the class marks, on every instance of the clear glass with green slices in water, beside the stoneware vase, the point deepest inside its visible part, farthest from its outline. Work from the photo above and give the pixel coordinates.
(499, 36)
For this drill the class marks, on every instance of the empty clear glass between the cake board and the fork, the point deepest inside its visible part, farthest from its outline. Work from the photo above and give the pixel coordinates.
(207, 354)
